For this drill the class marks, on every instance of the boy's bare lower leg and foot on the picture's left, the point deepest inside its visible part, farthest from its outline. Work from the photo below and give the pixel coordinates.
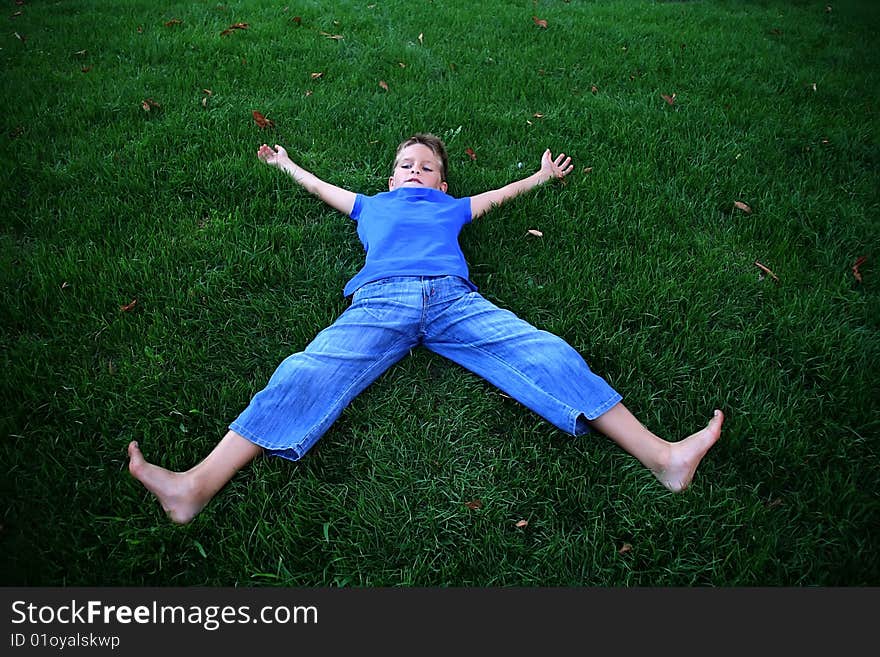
(184, 494)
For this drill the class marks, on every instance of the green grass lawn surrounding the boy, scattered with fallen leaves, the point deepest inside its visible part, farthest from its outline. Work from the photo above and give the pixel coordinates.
(645, 267)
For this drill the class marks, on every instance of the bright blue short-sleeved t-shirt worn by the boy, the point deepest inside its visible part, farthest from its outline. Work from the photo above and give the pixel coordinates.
(410, 231)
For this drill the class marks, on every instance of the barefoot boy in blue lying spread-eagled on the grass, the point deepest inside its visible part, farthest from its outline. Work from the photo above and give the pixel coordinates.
(414, 290)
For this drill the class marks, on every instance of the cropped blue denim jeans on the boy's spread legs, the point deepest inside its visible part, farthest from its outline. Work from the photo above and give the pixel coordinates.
(389, 317)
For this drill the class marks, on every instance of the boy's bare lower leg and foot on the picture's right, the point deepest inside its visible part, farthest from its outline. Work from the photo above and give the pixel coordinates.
(673, 464)
